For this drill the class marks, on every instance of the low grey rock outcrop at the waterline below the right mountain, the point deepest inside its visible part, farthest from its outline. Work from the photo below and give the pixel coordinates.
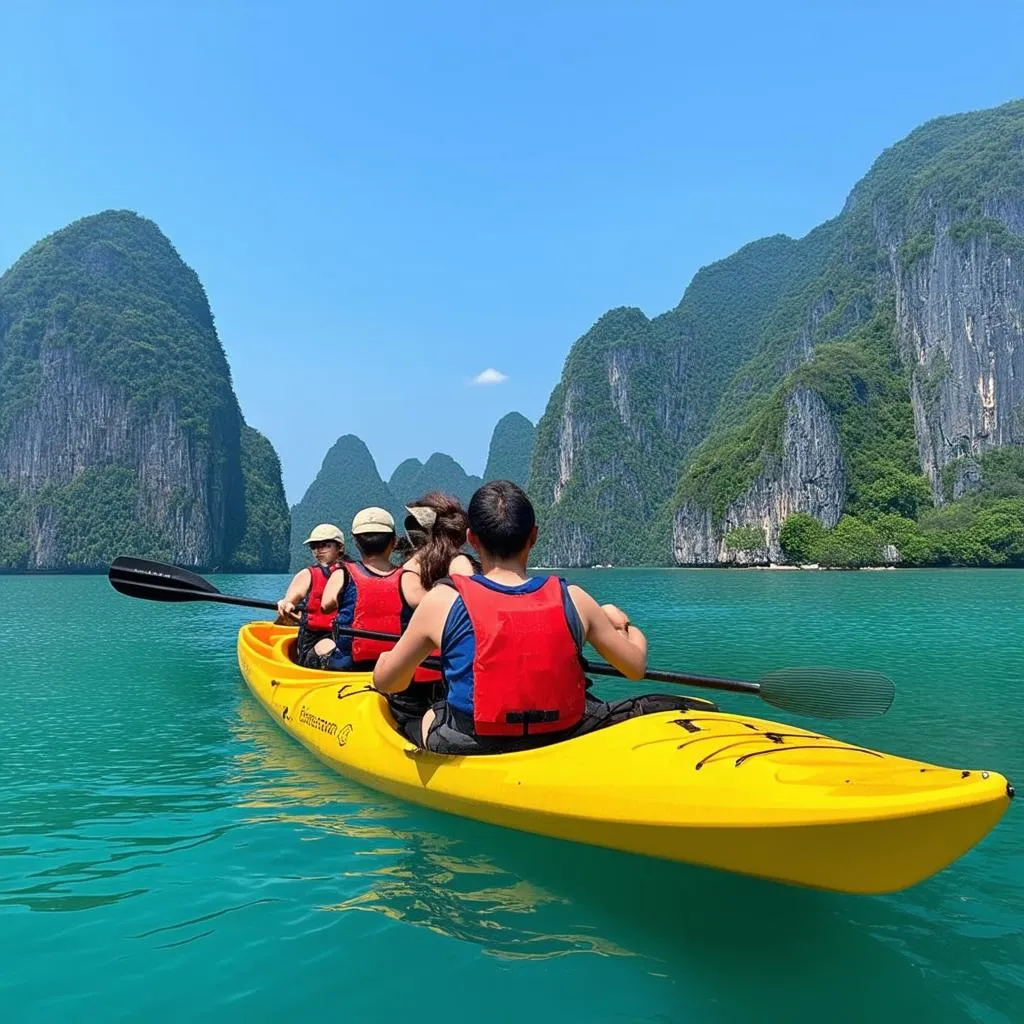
(808, 477)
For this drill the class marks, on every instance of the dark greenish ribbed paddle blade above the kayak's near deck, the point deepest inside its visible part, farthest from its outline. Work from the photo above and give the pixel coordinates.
(829, 693)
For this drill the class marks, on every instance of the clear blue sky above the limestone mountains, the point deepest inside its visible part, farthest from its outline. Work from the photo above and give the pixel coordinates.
(386, 200)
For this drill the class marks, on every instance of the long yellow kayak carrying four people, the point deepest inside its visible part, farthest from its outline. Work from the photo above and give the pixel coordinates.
(731, 792)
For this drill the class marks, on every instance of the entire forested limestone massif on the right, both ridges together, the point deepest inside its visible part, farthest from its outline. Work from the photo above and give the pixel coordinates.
(865, 370)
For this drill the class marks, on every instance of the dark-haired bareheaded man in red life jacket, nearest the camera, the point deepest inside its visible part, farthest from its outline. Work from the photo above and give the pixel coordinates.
(510, 644)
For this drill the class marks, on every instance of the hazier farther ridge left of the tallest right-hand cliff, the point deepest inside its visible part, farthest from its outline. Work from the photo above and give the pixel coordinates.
(636, 396)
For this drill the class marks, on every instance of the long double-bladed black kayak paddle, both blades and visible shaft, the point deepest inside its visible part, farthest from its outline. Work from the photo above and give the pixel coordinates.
(817, 693)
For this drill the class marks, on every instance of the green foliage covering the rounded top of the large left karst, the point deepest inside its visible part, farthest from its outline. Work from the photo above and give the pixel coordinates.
(112, 290)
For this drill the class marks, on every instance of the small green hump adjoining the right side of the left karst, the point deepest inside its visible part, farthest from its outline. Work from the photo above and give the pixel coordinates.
(264, 547)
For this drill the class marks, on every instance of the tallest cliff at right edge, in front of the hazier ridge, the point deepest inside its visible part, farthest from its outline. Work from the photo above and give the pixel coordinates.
(909, 332)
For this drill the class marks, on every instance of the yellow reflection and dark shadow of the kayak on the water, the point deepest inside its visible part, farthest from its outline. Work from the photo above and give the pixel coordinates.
(525, 898)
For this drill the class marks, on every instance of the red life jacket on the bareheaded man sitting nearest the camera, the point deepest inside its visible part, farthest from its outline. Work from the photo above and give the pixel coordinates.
(528, 677)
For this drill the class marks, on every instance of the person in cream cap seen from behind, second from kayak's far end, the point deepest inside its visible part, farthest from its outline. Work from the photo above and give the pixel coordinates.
(366, 595)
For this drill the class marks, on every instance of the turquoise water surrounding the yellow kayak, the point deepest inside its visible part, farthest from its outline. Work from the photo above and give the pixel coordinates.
(167, 854)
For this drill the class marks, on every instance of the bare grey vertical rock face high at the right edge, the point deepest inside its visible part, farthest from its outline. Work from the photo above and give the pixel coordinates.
(960, 311)
